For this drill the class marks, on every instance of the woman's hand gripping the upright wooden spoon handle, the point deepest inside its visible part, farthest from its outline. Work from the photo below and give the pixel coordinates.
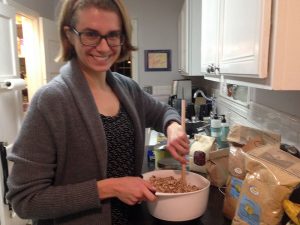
(178, 142)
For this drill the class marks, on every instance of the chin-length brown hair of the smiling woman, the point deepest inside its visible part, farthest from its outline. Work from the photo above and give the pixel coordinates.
(67, 17)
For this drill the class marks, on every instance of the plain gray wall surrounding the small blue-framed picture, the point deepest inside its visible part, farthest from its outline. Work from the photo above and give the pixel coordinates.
(157, 29)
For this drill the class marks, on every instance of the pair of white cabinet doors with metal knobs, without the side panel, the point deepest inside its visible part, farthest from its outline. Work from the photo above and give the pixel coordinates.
(239, 32)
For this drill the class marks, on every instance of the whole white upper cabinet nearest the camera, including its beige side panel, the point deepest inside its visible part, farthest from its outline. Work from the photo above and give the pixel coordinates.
(252, 42)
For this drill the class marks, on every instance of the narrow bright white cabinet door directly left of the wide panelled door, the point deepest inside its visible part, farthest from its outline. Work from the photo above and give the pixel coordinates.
(210, 33)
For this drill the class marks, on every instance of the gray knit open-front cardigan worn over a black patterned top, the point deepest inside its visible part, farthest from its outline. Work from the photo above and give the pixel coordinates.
(61, 150)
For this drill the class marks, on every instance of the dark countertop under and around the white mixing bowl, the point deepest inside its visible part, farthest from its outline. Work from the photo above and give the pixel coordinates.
(212, 216)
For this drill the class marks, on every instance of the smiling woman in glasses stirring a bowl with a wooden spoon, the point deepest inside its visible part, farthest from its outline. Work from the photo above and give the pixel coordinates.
(79, 153)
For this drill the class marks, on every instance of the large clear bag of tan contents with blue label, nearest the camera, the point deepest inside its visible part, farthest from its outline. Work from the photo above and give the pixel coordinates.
(272, 175)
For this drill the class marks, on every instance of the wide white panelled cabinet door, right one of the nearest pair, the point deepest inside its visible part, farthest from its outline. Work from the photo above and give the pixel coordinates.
(245, 34)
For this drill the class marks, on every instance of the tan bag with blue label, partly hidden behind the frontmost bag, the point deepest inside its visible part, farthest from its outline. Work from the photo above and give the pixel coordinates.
(241, 140)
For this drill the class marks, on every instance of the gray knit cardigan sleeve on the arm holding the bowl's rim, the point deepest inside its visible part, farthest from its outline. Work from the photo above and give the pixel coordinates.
(31, 183)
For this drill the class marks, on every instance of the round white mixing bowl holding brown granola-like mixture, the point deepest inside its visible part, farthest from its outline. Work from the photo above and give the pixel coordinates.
(179, 206)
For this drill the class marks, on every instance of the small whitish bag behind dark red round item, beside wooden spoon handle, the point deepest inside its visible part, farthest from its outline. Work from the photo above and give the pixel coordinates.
(199, 152)
